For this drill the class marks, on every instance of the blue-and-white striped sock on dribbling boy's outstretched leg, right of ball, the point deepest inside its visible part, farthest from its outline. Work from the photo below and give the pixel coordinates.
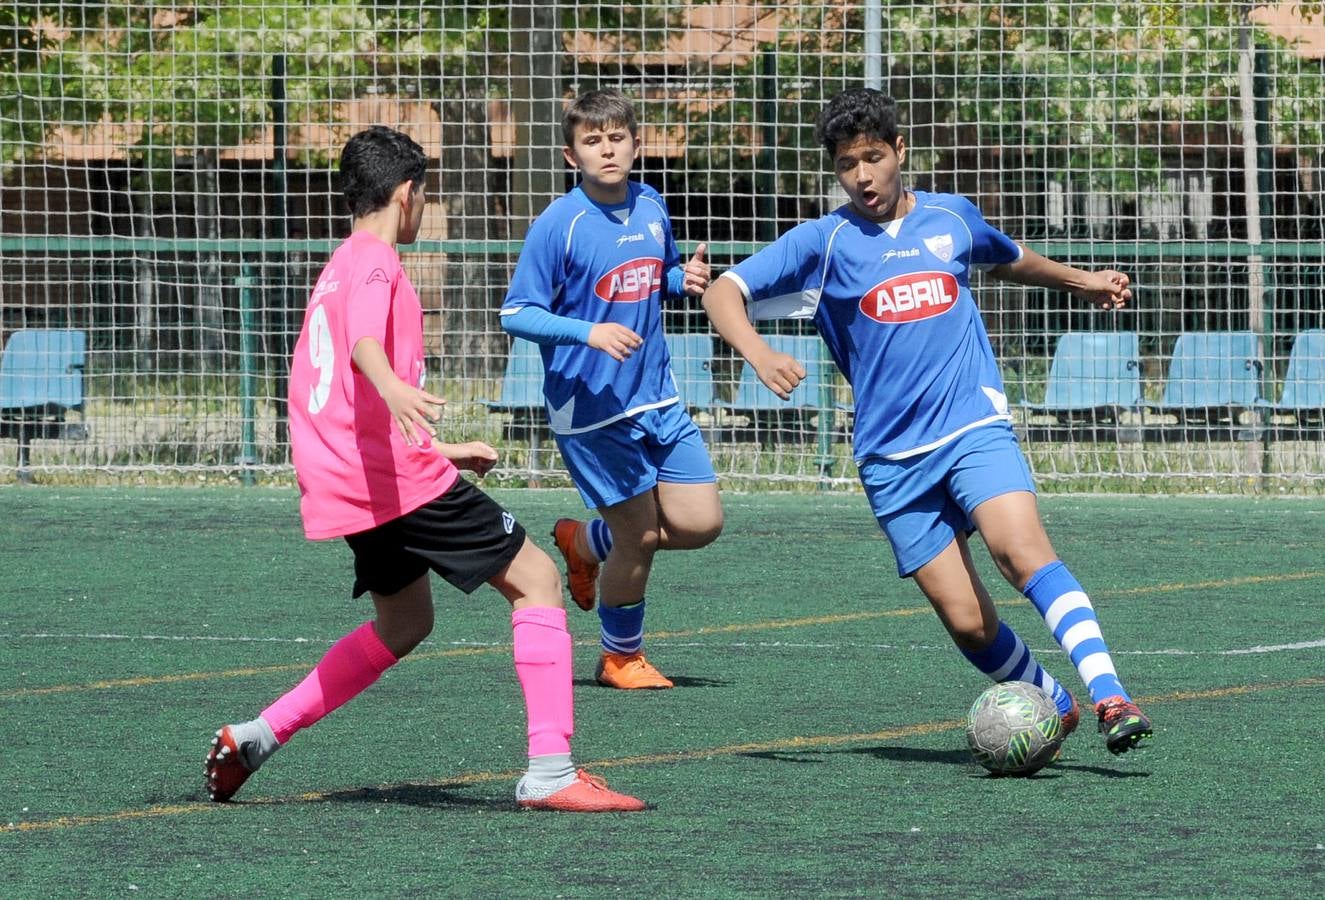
(1069, 613)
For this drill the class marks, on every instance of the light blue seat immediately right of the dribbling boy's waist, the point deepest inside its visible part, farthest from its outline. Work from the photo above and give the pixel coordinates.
(1094, 374)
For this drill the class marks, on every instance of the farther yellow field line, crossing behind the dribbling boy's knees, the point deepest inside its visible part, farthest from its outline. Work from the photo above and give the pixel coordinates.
(146, 681)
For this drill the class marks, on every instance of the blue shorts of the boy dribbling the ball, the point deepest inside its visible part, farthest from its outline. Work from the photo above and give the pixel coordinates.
(924, 502)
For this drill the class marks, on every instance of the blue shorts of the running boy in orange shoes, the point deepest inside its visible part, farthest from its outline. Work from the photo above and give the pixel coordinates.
(630, 457)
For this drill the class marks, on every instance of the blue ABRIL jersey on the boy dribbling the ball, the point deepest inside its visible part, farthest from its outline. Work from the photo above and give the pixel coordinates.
(894, 304)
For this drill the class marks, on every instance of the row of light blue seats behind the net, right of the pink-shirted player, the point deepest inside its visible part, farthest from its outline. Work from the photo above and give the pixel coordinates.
(1213, 390)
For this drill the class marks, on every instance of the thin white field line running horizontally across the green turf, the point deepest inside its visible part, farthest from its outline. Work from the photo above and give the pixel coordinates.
(664, 642)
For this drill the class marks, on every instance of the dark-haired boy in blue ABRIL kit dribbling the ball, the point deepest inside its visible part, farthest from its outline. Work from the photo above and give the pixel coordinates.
(886, 282)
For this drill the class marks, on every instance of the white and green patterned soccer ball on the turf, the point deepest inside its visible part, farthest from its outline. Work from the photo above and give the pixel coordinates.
(1014, 730)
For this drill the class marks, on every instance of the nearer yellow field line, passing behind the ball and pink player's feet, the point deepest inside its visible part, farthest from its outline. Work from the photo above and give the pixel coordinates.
(800, 743)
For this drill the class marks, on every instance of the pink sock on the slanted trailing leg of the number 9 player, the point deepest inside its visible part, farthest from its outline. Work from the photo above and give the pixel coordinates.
(353, 663)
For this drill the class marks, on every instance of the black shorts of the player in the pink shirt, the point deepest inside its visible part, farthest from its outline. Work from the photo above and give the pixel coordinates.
(464, 536)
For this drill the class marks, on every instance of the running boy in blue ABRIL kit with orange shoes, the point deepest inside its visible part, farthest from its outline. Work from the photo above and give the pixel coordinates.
(589, 287)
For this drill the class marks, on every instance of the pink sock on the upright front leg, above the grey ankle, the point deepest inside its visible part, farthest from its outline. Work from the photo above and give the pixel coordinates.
(544, 666)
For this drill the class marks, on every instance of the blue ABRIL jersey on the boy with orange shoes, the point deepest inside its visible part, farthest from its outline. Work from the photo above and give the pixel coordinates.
(582, 262)
